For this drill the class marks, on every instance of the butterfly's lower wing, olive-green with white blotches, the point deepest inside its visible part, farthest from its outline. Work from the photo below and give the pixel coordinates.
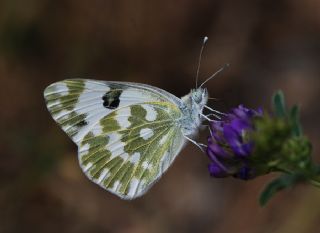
(134, 149)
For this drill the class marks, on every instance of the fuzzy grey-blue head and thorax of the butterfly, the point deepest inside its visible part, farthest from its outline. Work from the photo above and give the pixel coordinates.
(192, 106)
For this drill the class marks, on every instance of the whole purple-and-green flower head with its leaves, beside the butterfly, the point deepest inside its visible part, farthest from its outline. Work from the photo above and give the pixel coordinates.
(247, 143)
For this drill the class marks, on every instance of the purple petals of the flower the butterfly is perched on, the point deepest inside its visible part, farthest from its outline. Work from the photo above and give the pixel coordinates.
(229, 146)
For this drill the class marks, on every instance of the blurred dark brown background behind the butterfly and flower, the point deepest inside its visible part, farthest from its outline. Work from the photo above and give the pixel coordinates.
(270, 45)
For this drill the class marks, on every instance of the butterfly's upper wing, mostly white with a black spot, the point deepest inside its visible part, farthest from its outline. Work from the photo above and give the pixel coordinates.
(78, 104)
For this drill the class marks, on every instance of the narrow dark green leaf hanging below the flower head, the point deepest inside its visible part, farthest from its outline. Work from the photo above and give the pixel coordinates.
(278, 184)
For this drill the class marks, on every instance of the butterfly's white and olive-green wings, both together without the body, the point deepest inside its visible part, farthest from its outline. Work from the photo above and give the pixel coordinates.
(127, 134)
